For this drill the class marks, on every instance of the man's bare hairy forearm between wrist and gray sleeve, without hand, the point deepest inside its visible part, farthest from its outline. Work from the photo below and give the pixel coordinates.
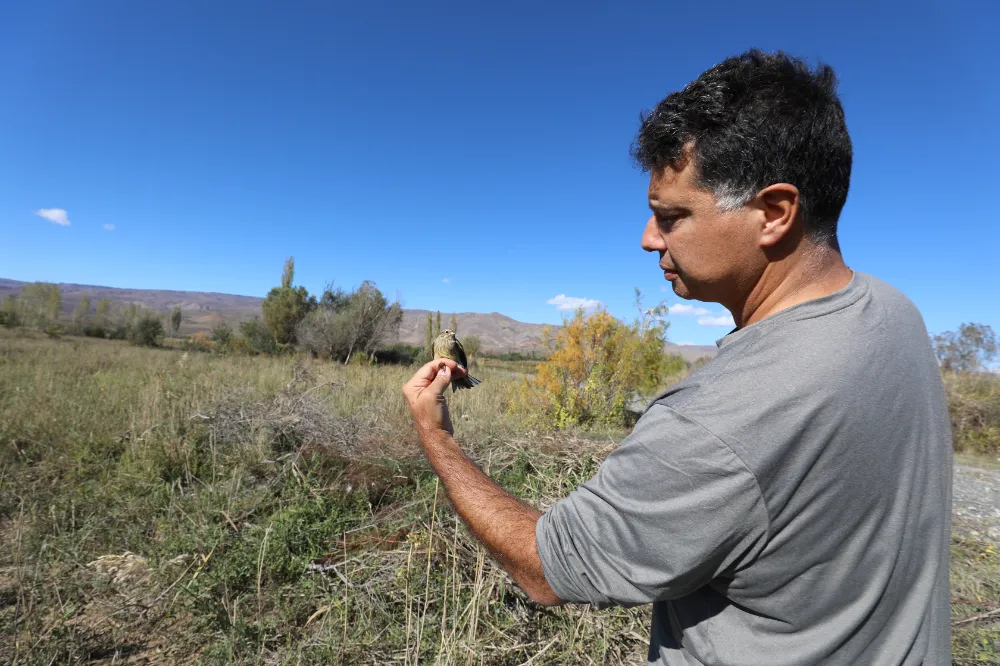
(502, 522)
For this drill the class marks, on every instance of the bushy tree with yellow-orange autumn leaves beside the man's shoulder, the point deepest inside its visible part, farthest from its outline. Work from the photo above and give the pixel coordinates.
(598, 367)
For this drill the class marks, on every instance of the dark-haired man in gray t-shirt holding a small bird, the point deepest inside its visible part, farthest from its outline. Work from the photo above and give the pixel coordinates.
(789, 502)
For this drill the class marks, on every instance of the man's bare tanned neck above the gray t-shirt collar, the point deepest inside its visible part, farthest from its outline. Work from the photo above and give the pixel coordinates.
(803, 276)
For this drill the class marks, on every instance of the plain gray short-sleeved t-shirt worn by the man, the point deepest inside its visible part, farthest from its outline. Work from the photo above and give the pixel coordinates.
(787, 503)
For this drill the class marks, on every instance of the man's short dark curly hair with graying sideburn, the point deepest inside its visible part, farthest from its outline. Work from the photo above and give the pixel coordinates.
(751, 121)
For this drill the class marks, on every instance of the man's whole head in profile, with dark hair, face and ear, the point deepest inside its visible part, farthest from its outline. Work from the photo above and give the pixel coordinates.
(749, 163)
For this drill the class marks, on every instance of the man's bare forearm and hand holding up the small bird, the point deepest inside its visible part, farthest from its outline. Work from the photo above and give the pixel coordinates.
(502, 522)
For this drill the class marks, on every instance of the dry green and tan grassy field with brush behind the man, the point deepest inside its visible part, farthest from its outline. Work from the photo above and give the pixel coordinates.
(171, 508)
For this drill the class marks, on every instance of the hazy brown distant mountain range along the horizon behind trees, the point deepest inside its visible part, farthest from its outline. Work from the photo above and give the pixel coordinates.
(202, 311)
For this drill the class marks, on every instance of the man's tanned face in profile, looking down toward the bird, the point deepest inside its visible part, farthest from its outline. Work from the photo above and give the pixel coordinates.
(705, 253)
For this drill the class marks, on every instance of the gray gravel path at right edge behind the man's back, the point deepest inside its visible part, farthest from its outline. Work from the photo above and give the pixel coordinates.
(976, 502)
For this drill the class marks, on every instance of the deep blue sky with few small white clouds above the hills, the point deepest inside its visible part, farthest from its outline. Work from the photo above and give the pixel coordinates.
(471, 156)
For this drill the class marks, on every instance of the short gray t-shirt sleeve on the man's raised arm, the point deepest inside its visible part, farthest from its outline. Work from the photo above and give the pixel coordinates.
(671, 509)
